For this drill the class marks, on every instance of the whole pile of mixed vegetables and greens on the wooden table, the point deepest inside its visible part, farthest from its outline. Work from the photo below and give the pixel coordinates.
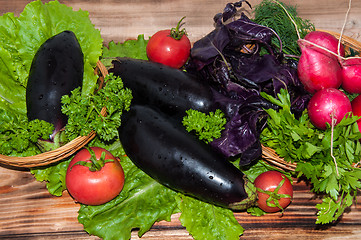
(187, 137)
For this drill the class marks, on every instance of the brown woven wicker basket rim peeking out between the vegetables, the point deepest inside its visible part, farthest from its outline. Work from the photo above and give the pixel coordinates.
(46, 158)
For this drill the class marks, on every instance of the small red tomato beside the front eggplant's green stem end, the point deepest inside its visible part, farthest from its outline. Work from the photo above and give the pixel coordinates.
(274, 191)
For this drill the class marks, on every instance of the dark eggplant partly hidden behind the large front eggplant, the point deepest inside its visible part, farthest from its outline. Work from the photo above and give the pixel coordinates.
(172, 90)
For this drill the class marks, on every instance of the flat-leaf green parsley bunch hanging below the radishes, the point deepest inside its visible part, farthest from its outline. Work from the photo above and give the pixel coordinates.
(332, 176)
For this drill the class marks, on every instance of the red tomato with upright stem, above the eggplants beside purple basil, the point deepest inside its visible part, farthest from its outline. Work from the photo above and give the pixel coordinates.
(169, 47)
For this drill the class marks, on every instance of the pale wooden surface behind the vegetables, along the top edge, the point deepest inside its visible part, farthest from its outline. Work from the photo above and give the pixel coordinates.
(121, 20)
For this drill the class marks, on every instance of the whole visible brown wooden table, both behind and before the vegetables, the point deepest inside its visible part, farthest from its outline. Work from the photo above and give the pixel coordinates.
(28, 211)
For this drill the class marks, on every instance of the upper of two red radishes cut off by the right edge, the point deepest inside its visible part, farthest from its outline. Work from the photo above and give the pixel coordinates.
(351, 75)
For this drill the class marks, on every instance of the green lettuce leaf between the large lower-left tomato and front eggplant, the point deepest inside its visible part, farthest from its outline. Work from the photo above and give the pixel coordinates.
(142, 202)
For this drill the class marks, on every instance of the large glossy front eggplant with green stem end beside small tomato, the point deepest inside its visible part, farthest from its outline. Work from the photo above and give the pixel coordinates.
(163, 149)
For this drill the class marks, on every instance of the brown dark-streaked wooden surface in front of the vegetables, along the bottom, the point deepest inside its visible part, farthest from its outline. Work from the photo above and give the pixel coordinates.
(28, 210)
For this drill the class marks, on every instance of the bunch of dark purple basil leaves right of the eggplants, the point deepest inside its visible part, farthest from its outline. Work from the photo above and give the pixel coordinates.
(233, 60)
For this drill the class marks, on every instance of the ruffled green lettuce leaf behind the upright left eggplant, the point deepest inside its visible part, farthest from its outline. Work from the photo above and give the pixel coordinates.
(22, 36)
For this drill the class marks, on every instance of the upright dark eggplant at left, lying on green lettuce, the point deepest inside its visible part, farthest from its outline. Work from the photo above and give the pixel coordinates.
(56, 70)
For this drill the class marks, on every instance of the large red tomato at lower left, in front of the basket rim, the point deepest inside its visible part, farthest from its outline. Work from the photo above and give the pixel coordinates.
(94, 176)
